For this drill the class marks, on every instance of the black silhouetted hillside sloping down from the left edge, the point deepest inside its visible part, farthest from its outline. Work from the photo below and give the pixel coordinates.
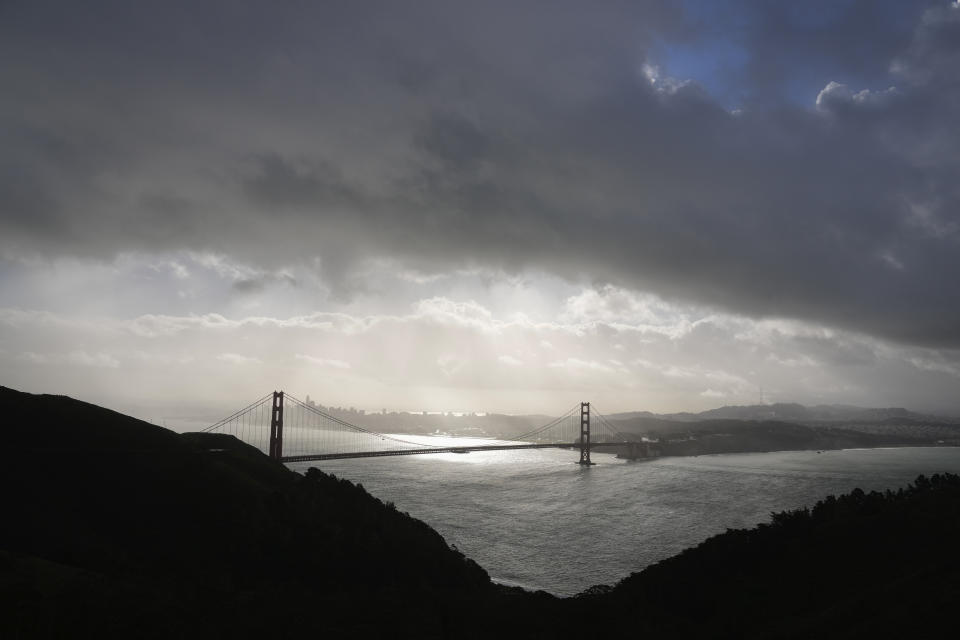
(192, 530)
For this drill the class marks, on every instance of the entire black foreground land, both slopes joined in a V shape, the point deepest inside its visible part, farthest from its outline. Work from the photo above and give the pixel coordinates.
(116, 528)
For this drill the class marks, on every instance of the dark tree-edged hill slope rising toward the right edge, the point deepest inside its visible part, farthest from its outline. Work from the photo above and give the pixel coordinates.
(862, 565)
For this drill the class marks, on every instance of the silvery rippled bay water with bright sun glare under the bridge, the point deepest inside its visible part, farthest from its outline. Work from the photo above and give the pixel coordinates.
(536, 519)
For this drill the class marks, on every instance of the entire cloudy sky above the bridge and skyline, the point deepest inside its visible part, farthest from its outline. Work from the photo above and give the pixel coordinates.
(481, 206)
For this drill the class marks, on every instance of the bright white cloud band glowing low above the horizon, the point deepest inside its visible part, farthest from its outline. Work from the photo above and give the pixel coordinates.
(464, 353)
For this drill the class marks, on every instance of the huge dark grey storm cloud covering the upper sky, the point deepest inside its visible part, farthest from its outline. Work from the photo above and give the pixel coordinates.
(505, 135)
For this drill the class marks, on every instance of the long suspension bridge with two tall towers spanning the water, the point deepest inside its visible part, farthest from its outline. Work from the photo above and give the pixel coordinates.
(290, 430)
